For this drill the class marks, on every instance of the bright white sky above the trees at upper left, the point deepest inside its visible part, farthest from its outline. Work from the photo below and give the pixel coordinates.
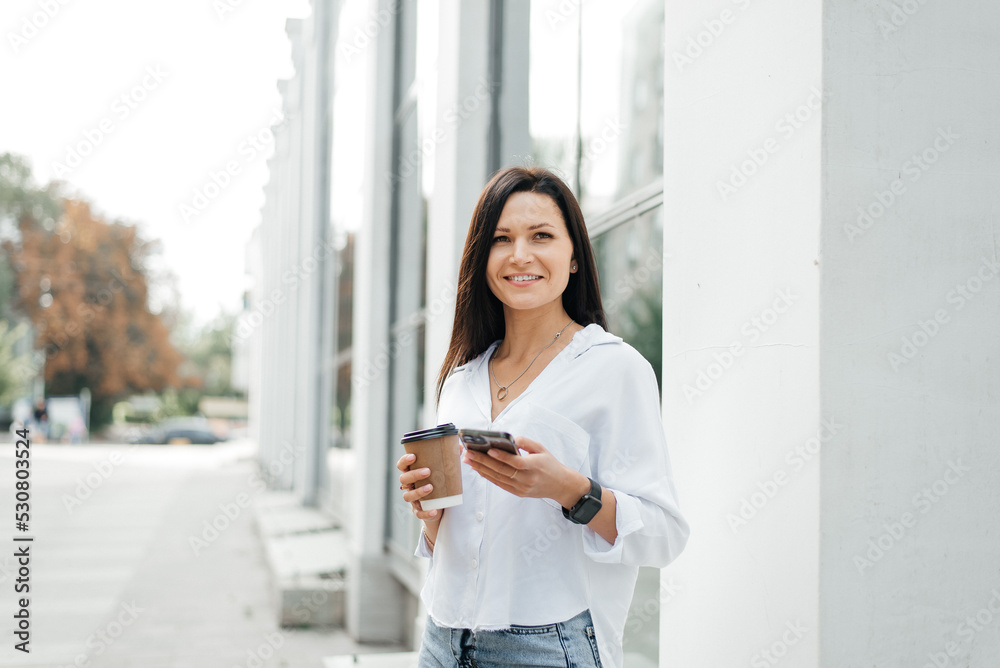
(219, 86)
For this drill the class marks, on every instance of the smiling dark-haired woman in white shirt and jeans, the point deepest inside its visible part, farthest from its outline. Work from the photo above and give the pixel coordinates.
(537, 566)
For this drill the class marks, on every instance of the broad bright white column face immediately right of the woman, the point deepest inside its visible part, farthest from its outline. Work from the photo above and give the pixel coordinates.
(741, 371)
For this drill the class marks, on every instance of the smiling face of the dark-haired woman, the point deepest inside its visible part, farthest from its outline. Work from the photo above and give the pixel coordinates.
(531, 255)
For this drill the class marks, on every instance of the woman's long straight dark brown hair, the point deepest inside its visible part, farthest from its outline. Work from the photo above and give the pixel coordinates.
(478, 313)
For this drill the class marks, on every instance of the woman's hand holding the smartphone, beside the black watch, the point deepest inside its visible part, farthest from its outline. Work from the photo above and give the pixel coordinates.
(536, 474)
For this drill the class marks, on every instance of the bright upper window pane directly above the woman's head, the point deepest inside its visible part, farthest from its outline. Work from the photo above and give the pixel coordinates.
(596, 86)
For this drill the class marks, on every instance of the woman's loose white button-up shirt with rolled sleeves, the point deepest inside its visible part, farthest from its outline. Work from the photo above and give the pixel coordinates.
(500, 559)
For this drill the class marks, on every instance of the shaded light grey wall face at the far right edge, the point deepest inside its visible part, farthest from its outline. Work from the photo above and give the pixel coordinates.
(911, 335)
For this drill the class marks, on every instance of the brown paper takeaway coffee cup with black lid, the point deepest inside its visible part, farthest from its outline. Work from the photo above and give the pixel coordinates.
(440, 450)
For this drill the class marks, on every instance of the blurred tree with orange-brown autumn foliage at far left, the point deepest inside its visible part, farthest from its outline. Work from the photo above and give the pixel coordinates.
(82, 282)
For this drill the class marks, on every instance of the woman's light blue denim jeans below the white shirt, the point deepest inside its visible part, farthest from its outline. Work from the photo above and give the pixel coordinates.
(572, 644)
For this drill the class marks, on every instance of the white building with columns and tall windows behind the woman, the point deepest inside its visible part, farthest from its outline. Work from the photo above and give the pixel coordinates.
(739, 164)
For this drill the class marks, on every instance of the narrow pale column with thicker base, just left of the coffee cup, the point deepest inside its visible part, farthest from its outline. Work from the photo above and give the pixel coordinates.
(374, 610)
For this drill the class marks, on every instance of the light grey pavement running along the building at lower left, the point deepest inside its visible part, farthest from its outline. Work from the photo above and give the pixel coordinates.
(117, 579)
